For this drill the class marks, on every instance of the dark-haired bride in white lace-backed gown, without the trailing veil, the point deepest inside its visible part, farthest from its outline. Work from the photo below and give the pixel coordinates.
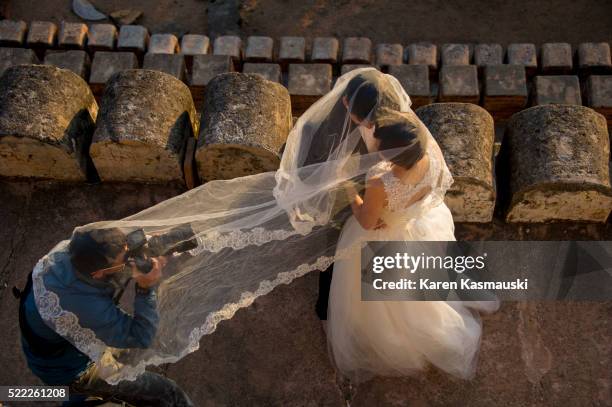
(390, 338)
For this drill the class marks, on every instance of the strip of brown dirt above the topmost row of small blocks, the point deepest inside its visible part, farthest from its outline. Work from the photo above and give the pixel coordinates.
(439, 21)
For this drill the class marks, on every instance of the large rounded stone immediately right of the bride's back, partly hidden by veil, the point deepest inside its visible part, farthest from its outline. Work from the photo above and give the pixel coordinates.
(465, 133)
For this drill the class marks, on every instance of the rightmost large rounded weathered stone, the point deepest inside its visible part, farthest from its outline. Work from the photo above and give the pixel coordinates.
(557, 158)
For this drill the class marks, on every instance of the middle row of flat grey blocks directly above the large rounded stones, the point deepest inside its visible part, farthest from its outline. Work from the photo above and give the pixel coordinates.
(505, 88)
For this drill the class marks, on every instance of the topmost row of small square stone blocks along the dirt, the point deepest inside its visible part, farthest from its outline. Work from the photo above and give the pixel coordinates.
(553, 57)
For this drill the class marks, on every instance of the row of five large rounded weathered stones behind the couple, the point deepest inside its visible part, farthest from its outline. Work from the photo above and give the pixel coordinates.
(553, 164)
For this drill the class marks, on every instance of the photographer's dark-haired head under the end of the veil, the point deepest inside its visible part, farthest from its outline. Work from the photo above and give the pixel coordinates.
(92, 250)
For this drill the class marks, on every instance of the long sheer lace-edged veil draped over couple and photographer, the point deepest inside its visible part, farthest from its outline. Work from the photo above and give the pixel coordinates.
(247, 235)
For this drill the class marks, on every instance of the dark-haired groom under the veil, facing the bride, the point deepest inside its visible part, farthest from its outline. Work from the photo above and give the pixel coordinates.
(365, 95)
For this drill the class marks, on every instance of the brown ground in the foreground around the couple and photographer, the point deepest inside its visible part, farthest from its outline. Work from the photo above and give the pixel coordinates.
(274, 353)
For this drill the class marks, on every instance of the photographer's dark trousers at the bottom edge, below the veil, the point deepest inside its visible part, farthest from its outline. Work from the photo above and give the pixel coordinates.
(149, 389)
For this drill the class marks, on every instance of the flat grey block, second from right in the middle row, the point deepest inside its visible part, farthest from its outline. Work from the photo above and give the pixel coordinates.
(564, 89)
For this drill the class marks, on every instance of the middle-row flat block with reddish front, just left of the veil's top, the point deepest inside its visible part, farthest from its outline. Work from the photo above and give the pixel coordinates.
(307, 83)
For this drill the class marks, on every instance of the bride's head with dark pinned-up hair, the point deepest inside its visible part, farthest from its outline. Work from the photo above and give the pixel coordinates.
(397, 130)
